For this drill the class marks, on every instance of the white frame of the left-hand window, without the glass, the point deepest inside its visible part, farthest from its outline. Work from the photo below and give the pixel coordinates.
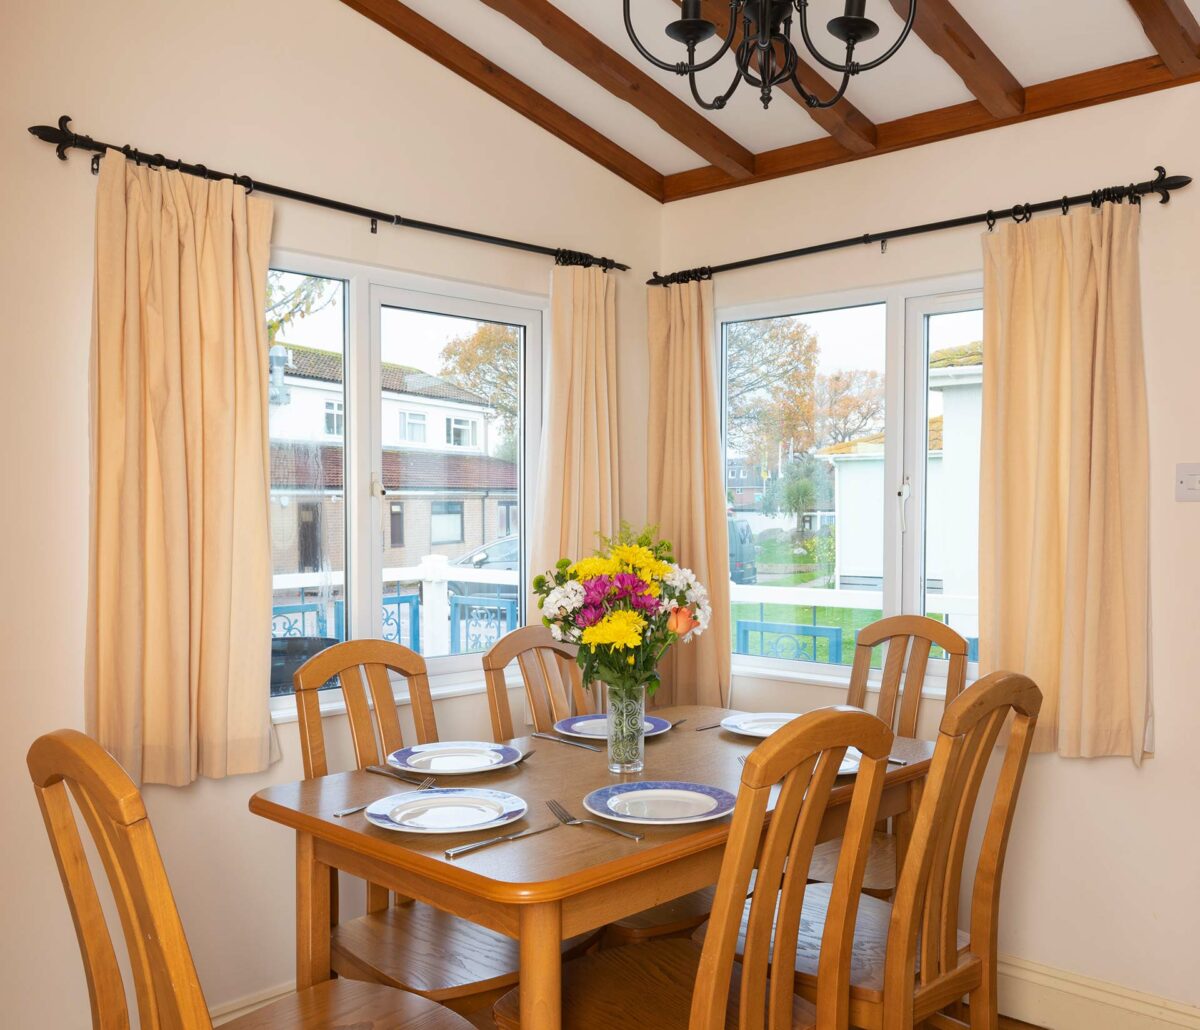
(369, 289)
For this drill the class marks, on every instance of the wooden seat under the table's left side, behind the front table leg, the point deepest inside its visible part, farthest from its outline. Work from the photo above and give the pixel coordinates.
(417, 948)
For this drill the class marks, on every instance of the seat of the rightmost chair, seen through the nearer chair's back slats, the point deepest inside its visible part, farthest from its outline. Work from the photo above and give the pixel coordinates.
(869, 950)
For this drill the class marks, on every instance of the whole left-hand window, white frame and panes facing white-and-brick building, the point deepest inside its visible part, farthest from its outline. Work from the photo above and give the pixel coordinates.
(371, 531)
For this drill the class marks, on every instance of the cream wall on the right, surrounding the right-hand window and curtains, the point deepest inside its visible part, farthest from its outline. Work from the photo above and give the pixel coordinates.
(1102, 877)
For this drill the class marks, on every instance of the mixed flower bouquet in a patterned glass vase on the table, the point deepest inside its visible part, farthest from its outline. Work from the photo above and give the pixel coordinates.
(625, 607)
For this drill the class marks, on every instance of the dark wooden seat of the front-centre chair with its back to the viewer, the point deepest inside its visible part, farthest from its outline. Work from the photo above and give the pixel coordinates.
(646, 985)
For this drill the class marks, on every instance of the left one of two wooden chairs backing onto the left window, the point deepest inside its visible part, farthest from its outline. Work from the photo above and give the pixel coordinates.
(399, 943)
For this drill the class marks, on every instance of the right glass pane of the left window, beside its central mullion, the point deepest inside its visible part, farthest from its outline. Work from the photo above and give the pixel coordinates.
(449, 589)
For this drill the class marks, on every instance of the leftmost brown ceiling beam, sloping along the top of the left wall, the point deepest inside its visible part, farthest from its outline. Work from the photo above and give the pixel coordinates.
(448, 51)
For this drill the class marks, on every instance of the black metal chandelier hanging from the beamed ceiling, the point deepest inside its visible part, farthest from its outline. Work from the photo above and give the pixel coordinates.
(766, 57)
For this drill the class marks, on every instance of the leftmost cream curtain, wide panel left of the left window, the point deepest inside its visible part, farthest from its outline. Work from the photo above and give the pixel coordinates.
(181, 584)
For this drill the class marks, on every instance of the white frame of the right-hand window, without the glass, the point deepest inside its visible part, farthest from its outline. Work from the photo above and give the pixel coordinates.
(905, 405)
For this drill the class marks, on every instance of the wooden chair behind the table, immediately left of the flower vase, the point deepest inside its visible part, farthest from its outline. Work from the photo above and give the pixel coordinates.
(555, 691)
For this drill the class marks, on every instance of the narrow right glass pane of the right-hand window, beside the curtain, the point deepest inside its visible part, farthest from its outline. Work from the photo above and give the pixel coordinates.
(955, 350)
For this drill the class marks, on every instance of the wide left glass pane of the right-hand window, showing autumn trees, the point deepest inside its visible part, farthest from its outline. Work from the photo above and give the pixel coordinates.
(805, 481)
